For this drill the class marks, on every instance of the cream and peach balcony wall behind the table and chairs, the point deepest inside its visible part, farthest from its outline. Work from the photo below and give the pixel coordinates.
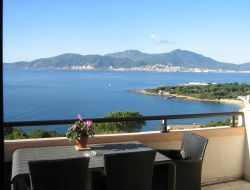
(227, 159)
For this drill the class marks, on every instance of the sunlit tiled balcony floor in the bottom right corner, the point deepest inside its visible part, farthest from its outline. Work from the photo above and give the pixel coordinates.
(232, 185)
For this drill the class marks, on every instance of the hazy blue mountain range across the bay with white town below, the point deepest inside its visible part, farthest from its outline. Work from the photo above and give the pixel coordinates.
(130, 59)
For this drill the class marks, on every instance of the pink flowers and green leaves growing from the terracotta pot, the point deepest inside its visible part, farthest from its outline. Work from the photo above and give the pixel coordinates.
(80, 129)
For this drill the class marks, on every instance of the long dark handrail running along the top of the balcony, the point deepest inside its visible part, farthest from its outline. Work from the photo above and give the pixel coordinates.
(120, 119)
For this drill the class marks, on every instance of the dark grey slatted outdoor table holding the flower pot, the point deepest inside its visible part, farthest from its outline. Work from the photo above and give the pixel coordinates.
(20, 169)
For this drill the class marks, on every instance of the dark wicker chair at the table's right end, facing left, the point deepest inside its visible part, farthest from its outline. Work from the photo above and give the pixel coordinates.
(188, 163)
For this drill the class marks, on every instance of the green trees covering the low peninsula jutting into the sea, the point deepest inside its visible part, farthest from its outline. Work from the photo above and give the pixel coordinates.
(210, 91)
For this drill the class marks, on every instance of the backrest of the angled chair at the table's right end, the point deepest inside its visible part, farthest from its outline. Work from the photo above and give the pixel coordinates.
(193, 146)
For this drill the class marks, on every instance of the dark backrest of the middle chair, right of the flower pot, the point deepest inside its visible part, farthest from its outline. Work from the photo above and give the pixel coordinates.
(129, 171)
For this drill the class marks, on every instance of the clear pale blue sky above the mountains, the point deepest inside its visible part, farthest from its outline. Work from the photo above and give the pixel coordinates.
(219, 29)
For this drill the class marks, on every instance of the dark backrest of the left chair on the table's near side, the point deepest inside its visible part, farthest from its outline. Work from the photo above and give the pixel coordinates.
(63, 174)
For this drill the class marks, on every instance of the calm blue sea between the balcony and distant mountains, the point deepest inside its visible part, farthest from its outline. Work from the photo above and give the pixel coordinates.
(62, 94)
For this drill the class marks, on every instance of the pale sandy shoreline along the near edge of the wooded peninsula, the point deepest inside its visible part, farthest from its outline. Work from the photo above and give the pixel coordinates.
(225, 101)
